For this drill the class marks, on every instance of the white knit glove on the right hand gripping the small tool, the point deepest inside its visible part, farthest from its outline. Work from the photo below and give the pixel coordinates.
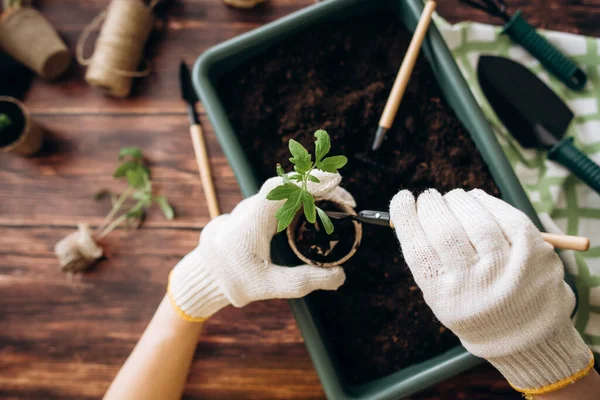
(488, 276)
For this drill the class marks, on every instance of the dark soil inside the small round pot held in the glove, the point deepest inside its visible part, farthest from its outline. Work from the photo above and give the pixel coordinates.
(317, 245)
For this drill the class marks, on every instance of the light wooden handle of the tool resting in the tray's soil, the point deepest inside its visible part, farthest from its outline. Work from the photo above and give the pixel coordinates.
(395, 97)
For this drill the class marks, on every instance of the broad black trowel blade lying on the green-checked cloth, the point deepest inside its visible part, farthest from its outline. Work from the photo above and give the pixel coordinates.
(523, 102)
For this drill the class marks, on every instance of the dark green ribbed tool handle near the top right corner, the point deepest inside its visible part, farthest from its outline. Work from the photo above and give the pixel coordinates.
(551, 58)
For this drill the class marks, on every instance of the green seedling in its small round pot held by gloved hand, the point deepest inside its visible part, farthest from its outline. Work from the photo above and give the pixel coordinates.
(315, 241)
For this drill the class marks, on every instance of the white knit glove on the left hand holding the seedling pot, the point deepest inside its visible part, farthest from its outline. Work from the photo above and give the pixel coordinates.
(232, 263)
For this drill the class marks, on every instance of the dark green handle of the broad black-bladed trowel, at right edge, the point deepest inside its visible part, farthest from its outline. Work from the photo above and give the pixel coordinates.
(565, 153)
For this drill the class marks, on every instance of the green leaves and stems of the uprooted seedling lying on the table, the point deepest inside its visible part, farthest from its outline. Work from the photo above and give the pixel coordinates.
(137, 175)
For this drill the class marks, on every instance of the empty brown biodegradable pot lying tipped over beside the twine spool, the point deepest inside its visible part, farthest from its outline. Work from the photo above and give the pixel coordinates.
(30, 39)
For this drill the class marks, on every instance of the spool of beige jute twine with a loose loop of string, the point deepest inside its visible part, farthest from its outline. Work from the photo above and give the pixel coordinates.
(120, 46)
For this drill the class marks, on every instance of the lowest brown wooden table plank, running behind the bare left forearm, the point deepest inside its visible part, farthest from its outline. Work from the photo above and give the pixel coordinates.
(66, 338)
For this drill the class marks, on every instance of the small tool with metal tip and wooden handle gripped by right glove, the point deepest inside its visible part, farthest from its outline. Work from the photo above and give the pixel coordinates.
(382, 218)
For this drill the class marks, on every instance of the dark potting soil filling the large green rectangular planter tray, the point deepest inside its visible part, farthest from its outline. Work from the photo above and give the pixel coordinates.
(337, 77)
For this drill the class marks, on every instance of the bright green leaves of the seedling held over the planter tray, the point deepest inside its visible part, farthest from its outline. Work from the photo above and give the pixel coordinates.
(297, 195)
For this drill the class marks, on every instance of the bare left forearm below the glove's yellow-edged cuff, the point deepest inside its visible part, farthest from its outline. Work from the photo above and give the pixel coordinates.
(159, 364)
